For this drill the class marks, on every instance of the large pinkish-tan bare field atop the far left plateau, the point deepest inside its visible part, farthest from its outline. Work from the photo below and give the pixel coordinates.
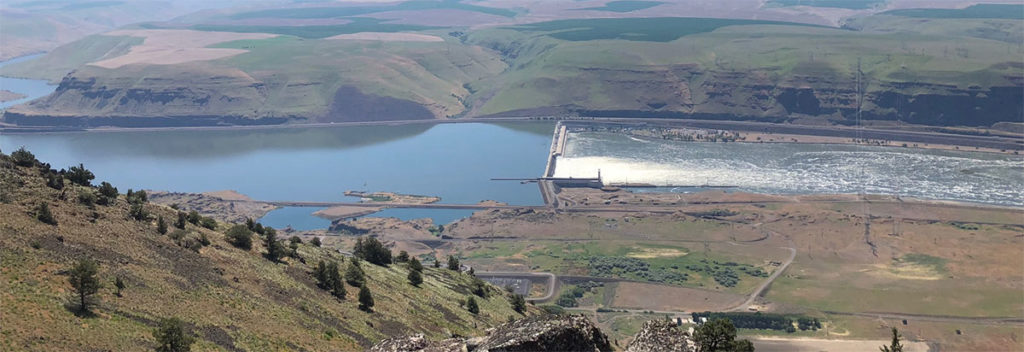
(177, 47)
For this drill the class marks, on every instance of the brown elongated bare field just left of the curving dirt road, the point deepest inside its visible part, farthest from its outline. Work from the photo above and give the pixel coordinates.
(660, 297)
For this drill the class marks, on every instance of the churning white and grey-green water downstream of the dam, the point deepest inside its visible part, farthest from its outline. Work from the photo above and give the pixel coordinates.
(797, 168)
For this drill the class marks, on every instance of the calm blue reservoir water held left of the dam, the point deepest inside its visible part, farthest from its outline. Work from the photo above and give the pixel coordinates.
(455, 162)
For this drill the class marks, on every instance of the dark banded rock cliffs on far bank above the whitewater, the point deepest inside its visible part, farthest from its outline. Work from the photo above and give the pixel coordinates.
(739, 96)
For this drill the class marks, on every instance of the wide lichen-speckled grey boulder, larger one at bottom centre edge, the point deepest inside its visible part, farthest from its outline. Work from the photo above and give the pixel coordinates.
(569, 334)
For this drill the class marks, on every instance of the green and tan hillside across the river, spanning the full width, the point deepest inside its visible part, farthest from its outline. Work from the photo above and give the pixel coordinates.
(951, 71)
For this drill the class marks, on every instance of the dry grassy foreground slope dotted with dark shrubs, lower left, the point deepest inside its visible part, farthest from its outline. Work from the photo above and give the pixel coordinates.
(231, 298)
